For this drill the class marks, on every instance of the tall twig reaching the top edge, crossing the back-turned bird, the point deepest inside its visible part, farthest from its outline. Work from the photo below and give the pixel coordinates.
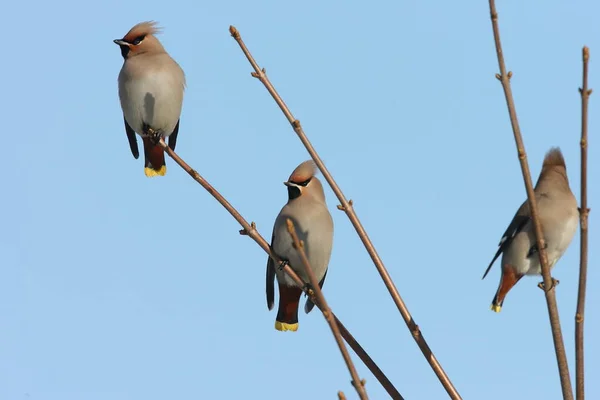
(549, 285)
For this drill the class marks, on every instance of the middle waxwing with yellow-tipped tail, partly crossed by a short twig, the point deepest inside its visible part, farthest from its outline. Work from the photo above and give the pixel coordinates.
(308, 211)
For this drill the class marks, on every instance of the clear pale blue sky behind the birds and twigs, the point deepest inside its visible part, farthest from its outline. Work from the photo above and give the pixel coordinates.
(114, 286)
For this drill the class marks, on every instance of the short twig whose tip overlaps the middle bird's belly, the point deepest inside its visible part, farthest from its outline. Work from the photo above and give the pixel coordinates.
(327, 313)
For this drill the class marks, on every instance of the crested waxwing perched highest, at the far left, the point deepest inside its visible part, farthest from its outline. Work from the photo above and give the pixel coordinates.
(151, 86)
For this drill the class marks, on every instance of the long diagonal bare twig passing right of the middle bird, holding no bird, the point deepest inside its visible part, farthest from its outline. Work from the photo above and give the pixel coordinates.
(346, 206)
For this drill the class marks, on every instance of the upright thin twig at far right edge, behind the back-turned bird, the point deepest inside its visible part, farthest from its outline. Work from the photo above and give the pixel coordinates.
(583, 226)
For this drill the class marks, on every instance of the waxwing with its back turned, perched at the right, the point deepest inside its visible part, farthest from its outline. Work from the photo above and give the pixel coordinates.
(559, 216)
